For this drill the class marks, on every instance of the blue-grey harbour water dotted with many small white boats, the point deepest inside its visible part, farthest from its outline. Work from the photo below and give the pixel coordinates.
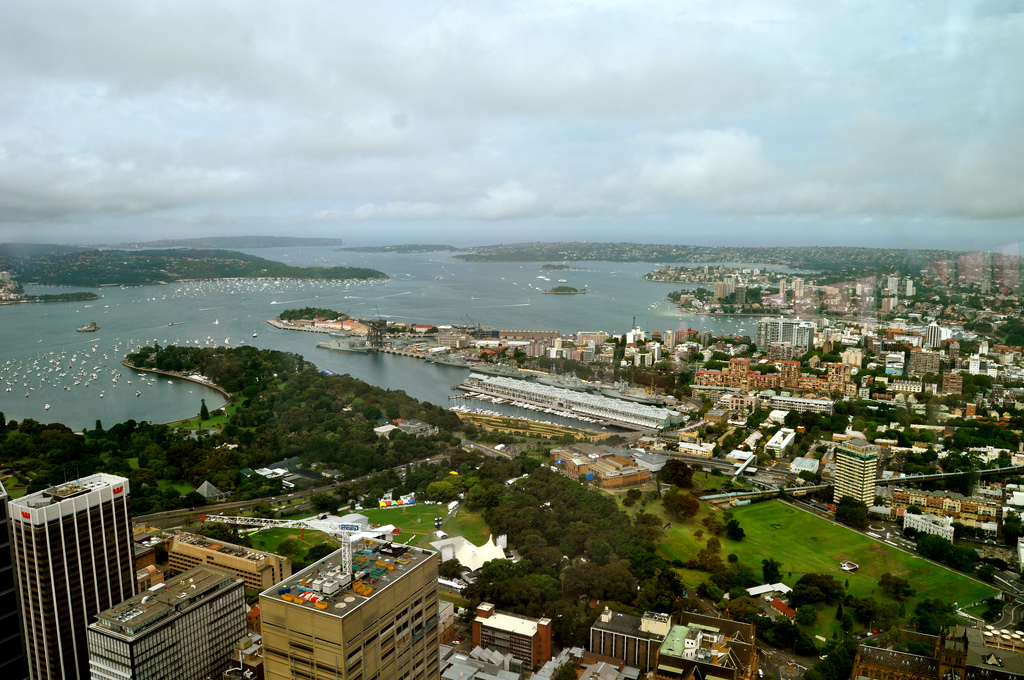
(38, 342)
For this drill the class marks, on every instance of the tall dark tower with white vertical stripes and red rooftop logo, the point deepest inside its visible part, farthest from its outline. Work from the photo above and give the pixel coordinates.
(73, 552)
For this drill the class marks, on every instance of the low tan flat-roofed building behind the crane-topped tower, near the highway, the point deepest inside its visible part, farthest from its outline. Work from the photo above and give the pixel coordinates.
(259, 570)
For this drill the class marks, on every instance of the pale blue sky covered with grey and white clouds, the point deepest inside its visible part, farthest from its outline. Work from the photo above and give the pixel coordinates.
(718, 122)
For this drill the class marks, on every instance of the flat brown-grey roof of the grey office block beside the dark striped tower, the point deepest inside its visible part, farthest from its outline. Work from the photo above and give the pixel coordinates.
(137, 615)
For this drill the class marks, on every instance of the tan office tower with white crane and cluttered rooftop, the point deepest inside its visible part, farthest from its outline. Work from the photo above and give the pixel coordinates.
(373, 615)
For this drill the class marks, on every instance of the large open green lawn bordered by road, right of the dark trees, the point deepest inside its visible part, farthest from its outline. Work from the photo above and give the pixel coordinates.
(804, 543)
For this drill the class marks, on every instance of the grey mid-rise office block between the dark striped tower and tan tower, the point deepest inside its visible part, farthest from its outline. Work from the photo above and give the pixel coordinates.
(185, 629)
